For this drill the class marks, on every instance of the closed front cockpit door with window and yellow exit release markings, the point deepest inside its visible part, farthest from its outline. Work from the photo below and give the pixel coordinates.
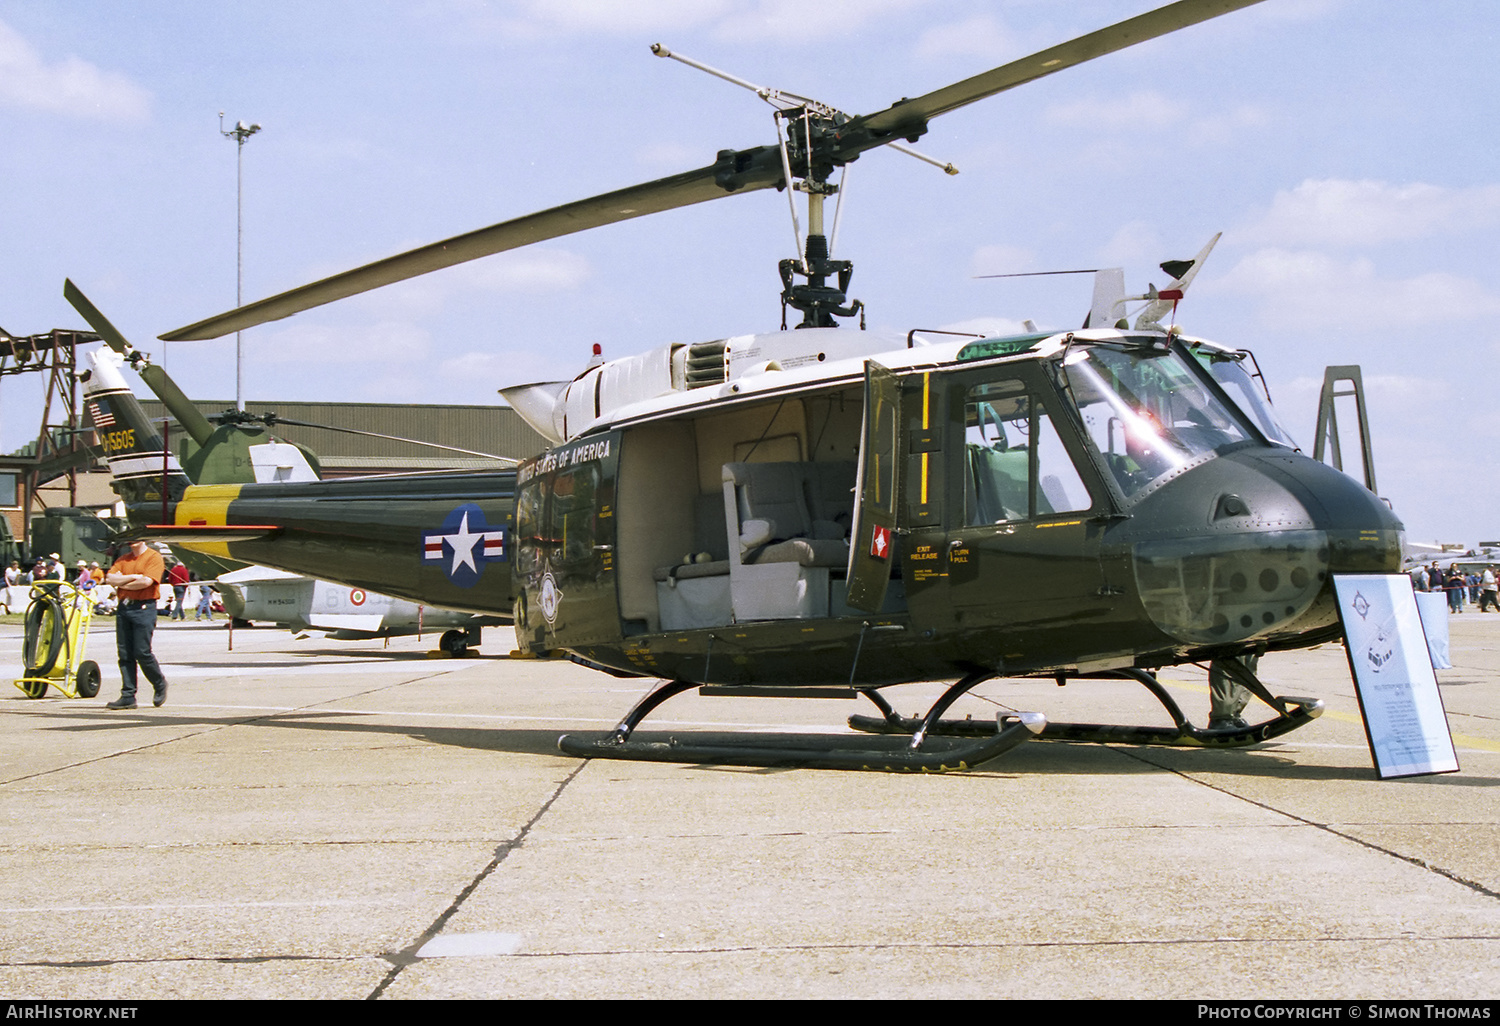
(1012, 559)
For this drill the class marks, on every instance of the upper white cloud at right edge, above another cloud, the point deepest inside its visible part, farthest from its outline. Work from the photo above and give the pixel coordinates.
(1337, 212)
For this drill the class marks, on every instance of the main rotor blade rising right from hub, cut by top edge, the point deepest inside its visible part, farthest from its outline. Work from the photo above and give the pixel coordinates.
(910, 118)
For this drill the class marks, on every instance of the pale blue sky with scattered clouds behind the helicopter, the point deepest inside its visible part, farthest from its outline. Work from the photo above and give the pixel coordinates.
(1346, 149)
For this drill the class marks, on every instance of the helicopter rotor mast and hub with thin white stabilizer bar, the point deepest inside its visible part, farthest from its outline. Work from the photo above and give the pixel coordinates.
(808, 170)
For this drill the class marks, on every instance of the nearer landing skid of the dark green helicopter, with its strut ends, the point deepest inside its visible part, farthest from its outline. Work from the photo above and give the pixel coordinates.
(832, 752)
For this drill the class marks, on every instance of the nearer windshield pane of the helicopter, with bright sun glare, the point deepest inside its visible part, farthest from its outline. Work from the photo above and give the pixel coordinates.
(1147, 412)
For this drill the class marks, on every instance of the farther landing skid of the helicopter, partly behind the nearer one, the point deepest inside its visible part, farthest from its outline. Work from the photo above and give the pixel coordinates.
(1294, 713)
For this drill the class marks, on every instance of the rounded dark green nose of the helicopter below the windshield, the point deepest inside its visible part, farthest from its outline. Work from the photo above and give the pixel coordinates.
(1244, 548)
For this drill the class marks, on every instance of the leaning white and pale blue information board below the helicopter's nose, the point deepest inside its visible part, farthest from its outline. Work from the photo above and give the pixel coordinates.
(1394, 679)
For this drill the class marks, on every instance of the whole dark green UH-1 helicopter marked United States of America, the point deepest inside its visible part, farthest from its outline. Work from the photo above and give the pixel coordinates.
(838, 511)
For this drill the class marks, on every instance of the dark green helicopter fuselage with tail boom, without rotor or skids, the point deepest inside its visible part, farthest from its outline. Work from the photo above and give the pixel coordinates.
(1048, 503)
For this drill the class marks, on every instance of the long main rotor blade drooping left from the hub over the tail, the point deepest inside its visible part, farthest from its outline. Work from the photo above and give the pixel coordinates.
(733, 173)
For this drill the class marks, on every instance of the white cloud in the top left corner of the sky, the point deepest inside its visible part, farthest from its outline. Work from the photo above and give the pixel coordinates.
(70, 86)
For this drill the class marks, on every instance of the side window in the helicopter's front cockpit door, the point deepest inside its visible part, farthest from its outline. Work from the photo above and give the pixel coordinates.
(1016, 464)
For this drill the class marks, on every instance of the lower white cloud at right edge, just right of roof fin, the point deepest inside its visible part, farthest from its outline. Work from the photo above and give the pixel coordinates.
(1324, 292)
